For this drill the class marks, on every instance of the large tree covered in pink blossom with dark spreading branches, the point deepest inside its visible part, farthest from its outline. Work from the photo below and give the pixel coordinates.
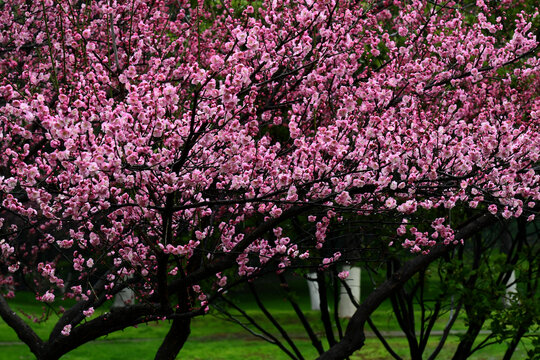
(155, 145)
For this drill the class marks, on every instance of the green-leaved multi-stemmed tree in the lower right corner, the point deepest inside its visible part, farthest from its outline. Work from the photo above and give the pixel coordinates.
(474, 280)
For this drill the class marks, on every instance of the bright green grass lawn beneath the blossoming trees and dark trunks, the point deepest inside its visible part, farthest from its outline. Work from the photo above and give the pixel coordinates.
(215, 338)
